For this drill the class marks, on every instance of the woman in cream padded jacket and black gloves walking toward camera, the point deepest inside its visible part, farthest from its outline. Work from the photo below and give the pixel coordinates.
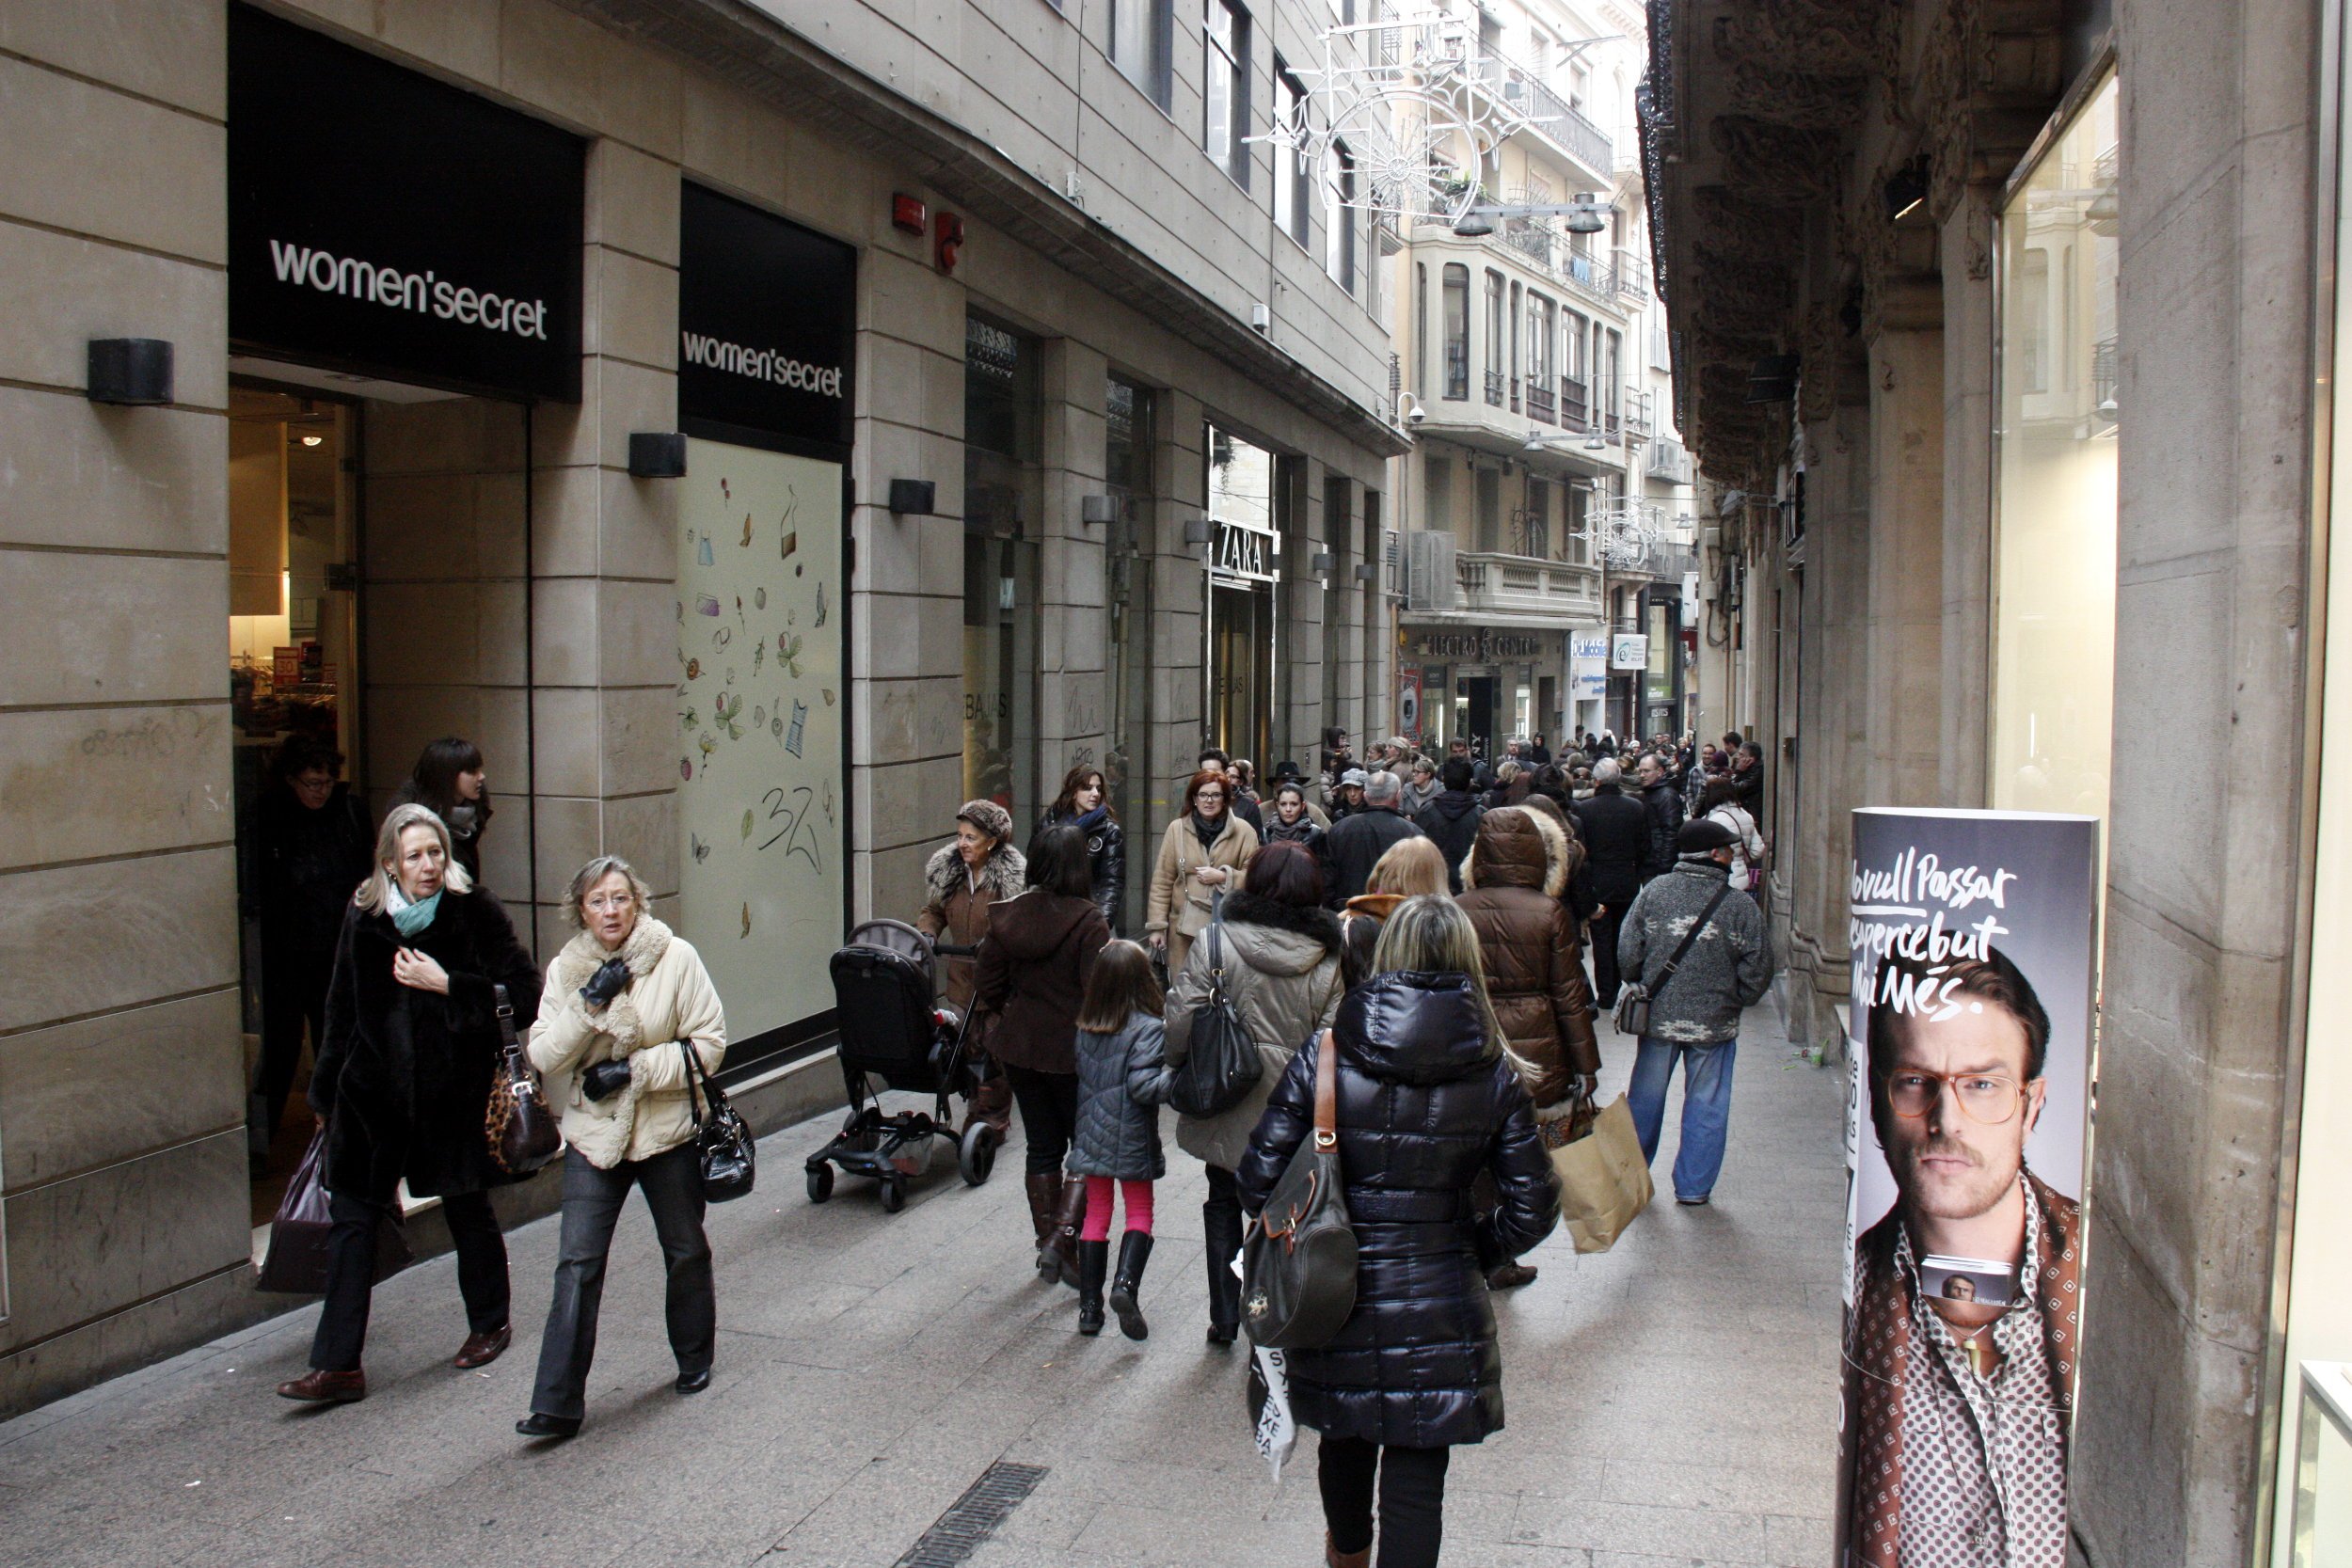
(622, 1007)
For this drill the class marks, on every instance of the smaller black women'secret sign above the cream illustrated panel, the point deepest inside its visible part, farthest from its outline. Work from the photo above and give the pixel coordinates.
(766, 314)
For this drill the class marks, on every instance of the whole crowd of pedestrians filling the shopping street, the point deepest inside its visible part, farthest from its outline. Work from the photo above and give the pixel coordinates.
(1422, 920)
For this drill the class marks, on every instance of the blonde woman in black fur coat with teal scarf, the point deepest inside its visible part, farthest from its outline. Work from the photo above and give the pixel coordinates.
(403, 1087)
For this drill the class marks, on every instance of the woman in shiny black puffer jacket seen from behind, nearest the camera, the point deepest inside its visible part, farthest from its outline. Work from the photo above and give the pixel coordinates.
(1426, 1104)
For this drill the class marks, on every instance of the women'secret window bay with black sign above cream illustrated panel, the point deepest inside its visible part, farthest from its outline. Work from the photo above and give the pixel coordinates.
(766, 314)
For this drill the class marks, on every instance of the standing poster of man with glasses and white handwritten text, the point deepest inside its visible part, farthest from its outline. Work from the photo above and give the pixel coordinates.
(1975, 946)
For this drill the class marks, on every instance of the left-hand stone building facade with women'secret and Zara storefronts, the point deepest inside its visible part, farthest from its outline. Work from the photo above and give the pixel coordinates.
(1036, 227)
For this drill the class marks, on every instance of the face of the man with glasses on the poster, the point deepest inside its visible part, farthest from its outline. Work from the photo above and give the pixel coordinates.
(1953, 1160)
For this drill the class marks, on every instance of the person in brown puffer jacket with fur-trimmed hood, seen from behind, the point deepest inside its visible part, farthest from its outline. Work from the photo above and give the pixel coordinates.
(1514, 885)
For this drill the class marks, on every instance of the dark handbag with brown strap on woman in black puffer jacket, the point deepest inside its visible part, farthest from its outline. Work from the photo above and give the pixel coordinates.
(1299, 1254)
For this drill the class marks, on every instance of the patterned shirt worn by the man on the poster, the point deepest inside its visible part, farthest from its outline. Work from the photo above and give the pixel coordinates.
(1984, 1456)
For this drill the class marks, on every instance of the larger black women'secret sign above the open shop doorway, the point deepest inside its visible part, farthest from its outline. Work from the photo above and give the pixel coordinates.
(389, 225)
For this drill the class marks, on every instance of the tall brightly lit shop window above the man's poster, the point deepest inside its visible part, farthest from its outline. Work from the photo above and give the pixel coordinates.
(2057, 525)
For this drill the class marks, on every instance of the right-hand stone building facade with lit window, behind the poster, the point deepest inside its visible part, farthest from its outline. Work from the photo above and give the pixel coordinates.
(1996, 330)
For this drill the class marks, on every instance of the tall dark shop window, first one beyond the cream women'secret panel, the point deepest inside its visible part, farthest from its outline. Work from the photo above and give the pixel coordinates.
(1003, 495)
